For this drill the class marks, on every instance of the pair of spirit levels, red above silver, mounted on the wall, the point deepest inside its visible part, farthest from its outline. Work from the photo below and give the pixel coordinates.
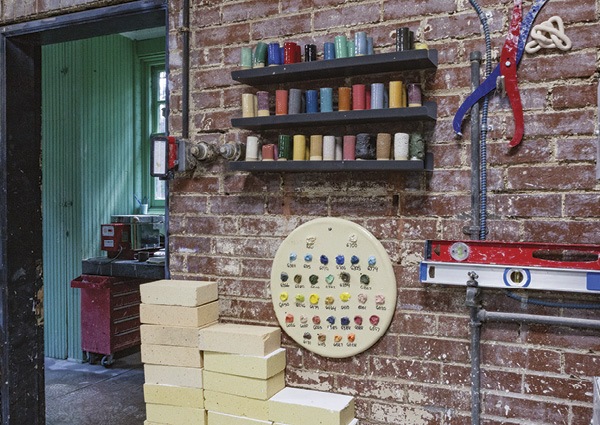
(557, 267)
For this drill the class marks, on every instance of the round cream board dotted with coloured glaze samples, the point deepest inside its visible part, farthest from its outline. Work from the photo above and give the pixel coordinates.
(333, 287)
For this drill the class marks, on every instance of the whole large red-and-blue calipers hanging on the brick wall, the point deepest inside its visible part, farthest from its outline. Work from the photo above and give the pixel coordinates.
(506, 70)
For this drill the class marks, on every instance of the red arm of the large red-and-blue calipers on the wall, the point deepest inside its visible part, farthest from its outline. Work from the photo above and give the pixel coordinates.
(508, 68)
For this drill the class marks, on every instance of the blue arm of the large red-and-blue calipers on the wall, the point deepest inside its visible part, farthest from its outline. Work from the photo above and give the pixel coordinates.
(490, 82)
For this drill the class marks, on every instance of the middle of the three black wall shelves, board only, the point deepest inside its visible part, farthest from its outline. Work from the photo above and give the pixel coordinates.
(427, 112)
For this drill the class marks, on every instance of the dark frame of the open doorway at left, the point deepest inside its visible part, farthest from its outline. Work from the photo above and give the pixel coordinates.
(22, 395)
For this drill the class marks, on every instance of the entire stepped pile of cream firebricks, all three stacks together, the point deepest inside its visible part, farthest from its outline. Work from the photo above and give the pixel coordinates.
(199, 372)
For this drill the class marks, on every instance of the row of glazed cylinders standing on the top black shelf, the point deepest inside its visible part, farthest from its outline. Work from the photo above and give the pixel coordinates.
(274, 54)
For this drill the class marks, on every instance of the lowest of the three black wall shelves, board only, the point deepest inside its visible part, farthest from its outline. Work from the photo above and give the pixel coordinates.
(325, 166)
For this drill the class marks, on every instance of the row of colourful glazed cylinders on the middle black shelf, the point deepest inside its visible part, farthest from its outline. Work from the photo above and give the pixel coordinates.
(356, 98)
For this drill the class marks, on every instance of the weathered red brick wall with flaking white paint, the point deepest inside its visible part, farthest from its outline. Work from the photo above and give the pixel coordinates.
(227, 226)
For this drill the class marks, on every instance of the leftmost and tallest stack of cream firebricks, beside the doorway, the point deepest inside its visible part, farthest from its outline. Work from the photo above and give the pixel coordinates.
(172, 313)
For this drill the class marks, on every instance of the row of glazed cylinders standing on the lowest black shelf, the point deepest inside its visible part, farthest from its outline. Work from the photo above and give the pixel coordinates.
(363, 146)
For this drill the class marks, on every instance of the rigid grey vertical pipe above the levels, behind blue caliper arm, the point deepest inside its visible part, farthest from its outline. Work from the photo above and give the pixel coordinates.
(475, 149)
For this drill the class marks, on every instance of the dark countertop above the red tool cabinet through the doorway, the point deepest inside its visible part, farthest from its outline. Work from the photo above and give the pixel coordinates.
(123, 268)
